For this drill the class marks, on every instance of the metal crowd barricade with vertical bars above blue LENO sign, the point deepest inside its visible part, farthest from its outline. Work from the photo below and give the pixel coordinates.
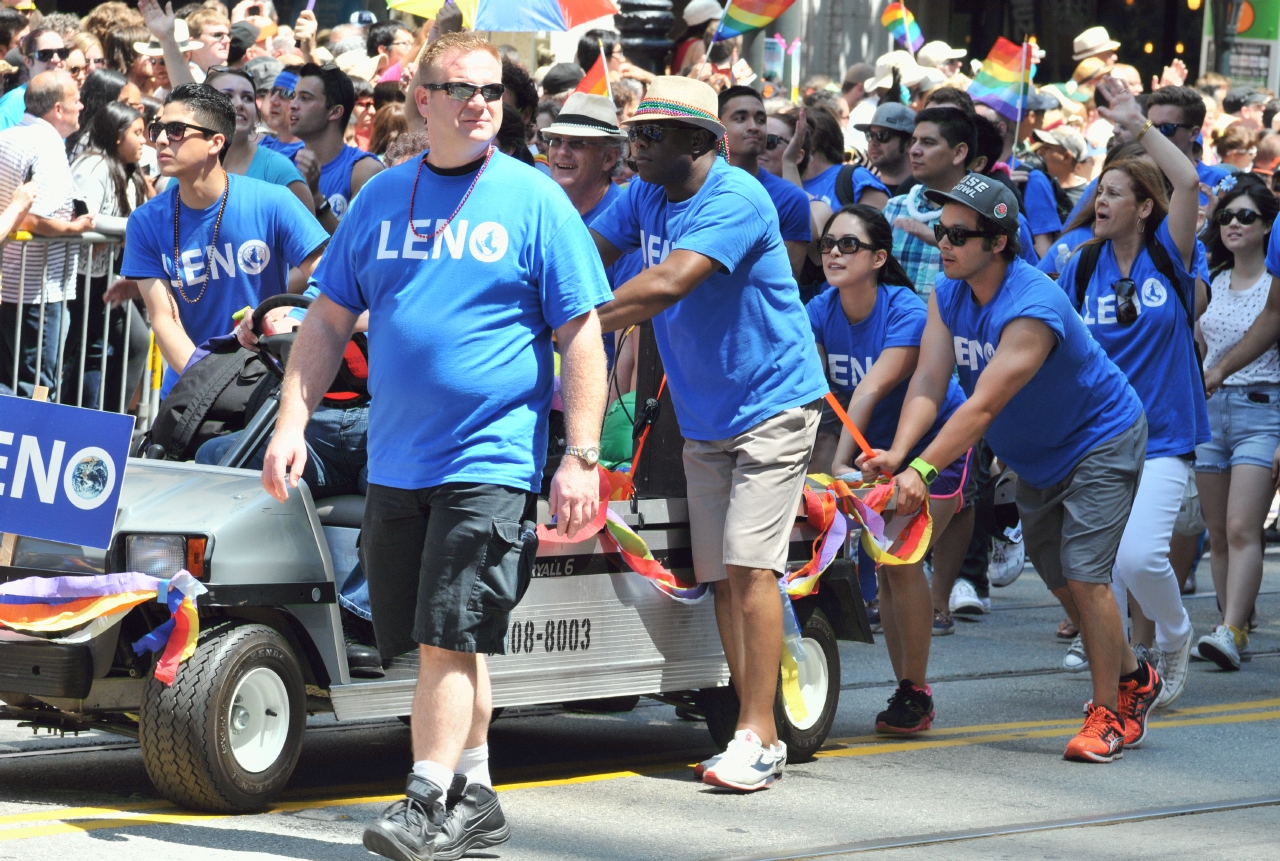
(70, 382)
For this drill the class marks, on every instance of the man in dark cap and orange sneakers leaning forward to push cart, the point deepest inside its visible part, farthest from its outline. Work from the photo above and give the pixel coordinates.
(1052, 406)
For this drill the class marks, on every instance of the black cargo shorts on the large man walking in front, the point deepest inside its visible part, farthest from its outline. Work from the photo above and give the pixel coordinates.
(447, 565)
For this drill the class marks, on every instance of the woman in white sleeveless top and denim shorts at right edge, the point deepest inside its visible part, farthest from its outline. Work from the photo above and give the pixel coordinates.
(1237, 470)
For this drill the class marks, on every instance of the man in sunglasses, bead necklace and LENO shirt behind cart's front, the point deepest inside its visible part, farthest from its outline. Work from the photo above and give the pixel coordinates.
(237, 237)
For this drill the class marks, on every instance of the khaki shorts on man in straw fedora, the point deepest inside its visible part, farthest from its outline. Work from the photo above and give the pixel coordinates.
(744, 493)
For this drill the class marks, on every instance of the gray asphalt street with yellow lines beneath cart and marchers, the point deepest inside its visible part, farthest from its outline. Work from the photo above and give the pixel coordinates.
(989, 782)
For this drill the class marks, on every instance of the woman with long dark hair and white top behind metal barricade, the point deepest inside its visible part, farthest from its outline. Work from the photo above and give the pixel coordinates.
(112, 182)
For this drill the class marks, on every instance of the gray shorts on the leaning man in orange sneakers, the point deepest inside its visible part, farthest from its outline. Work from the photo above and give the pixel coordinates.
(1073, 529)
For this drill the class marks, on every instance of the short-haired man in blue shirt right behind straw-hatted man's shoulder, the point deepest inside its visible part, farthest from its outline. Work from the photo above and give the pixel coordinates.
(742, 112)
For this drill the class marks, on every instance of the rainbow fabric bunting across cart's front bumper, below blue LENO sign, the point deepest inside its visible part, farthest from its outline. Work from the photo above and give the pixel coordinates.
(95, 603)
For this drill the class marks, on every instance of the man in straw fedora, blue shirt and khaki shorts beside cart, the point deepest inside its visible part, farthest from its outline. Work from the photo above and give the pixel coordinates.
(744, 378)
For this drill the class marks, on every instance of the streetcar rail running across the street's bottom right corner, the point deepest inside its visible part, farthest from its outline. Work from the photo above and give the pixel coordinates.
(883, 845)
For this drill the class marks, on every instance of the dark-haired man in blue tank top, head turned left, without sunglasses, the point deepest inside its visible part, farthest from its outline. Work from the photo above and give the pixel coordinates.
(323, 102)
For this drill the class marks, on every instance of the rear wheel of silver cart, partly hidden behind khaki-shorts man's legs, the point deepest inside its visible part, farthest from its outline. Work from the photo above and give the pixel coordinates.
(820, 689)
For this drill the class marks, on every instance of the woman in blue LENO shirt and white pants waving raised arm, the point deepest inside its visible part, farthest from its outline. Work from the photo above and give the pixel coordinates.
(1135, 286)
